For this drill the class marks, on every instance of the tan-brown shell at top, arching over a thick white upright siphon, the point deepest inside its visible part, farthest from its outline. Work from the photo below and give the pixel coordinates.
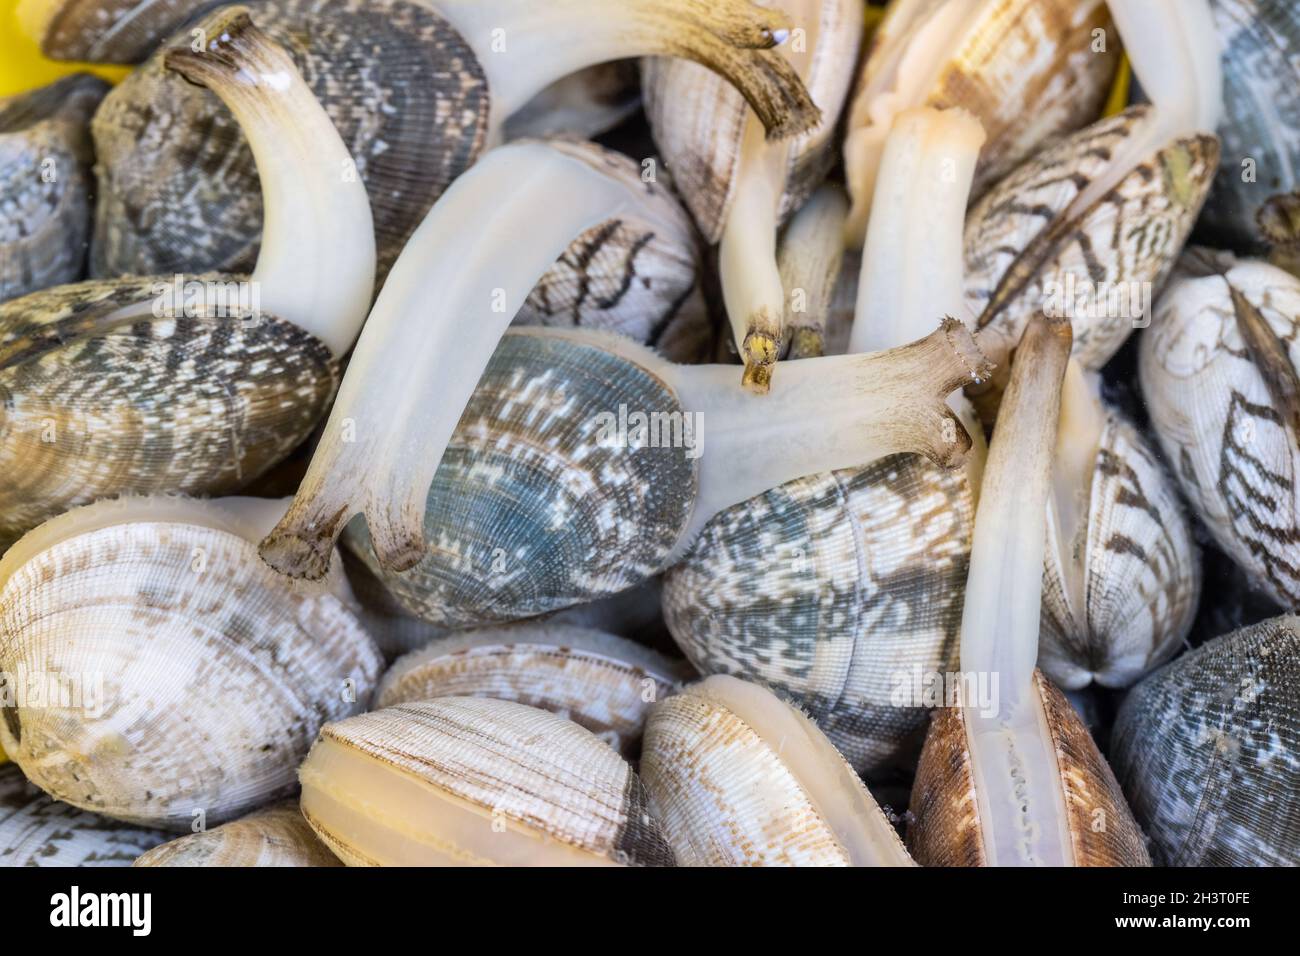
(1028, 70)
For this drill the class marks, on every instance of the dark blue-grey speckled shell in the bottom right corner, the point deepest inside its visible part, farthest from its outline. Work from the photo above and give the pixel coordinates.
(1206, 750)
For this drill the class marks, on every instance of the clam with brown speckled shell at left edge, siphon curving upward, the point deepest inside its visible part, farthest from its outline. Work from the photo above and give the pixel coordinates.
(194, 384)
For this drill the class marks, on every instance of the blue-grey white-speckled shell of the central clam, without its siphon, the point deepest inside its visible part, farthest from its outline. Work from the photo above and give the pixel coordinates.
(528, 512)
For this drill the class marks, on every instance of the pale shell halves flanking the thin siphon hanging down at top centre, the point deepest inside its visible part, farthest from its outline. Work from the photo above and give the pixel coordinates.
(699, 119)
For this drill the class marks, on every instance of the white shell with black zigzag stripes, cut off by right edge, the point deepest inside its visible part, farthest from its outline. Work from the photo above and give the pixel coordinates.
(1225, 436)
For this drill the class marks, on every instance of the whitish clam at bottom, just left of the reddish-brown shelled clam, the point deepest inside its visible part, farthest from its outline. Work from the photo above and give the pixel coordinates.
(740, 778)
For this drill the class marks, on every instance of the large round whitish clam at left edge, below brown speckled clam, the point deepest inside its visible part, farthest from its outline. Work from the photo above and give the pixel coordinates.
(164, 676)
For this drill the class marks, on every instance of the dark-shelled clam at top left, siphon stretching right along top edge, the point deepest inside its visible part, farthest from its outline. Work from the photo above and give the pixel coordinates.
(418, 92)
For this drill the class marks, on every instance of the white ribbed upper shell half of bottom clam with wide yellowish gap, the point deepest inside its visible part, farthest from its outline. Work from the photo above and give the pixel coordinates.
(522, 764)
